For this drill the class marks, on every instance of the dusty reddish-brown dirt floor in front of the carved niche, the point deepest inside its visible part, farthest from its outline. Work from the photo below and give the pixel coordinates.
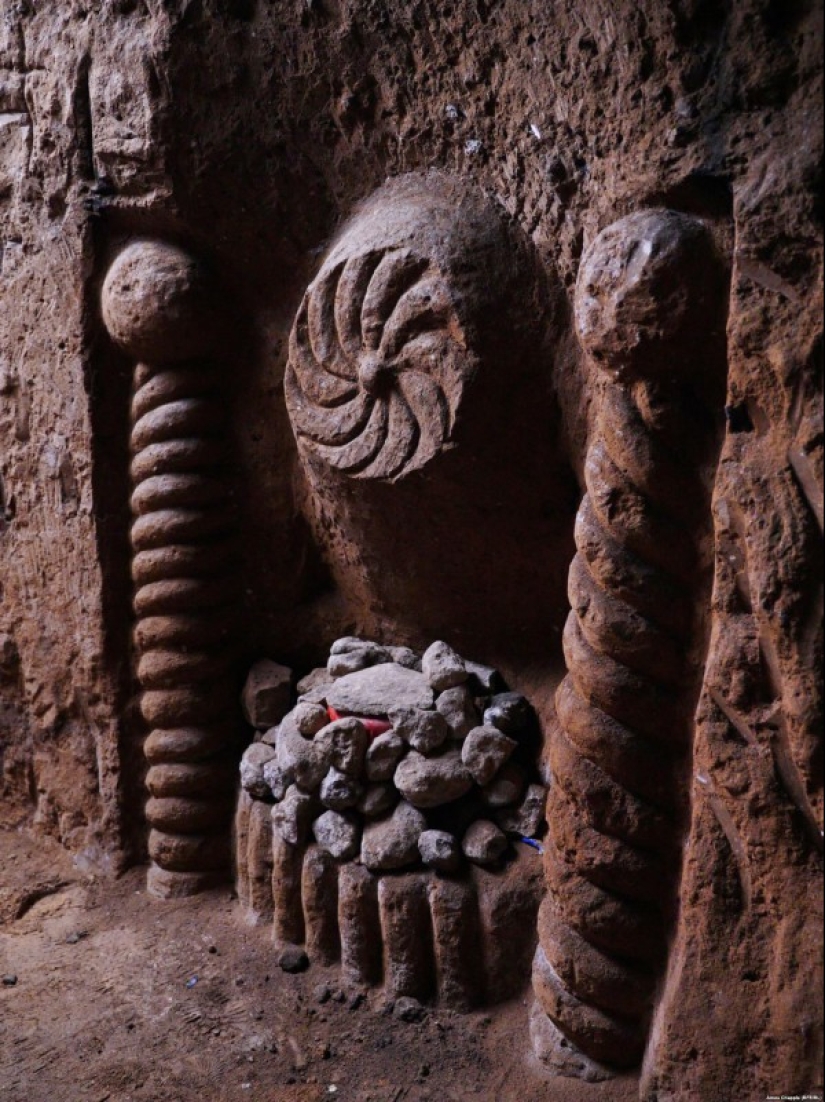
(122, 999)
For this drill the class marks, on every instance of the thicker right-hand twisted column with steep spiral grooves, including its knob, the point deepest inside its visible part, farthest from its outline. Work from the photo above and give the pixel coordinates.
(621, 750)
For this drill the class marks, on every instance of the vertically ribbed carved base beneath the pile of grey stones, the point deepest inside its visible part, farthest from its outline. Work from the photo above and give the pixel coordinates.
(461, 942)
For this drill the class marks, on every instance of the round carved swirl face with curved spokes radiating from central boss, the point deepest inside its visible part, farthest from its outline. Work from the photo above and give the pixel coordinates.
(378, 364)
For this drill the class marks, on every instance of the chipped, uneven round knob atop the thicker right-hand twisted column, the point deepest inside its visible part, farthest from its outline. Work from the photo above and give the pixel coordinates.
(647, 286)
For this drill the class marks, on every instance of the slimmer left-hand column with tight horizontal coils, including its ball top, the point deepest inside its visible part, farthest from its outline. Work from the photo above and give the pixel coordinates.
(159, 307)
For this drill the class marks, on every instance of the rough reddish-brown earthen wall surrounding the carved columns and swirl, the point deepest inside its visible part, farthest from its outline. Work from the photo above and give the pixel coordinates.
(251, 133)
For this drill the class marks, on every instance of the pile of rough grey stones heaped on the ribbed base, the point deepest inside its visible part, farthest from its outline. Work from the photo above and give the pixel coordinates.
(394, 759)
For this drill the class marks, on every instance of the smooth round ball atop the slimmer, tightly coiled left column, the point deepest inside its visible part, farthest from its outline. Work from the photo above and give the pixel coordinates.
(160, 305)
